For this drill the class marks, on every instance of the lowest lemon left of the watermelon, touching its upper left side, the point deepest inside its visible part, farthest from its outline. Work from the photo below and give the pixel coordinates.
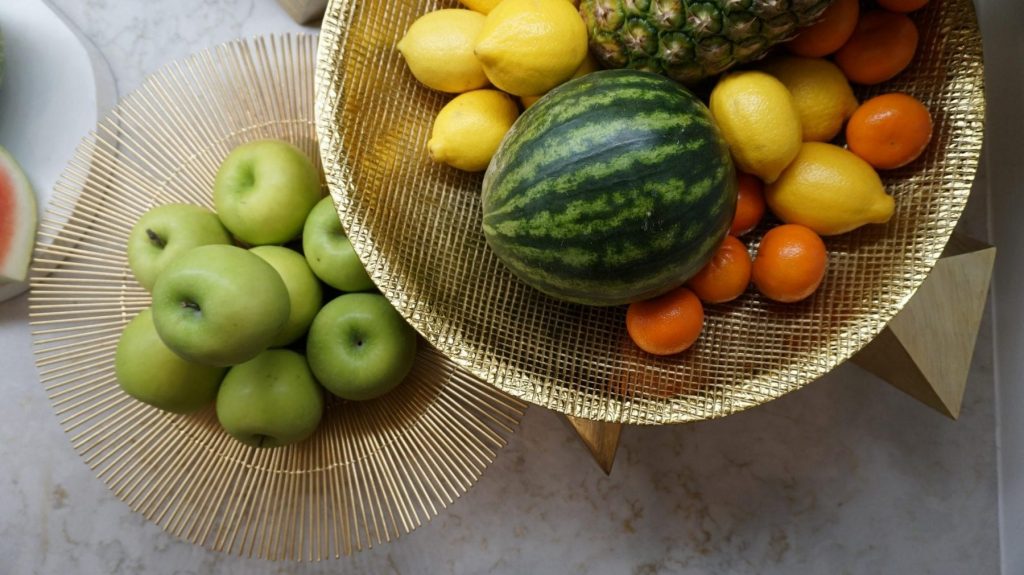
(470, 128)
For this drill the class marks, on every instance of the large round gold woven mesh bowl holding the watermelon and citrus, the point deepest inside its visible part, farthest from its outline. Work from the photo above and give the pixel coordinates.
(417, 227)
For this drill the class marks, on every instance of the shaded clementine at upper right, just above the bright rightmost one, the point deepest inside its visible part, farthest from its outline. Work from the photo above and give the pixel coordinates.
(882, 47)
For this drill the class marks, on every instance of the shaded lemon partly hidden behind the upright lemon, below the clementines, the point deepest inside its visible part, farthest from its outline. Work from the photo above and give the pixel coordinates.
(823, 95)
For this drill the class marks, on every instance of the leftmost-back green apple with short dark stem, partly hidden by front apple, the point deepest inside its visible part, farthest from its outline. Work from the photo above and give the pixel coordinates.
(167, 232)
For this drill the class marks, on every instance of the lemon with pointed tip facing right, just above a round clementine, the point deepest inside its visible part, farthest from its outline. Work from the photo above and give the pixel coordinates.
(831, 191)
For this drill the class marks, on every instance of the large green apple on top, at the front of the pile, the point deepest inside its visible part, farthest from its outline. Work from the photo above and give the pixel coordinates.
(220, 305)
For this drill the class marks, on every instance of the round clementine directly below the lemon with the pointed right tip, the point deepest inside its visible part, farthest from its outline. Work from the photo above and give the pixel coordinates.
(791, 263)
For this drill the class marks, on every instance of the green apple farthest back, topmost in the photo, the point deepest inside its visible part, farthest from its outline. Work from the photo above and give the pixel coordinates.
(265, 191)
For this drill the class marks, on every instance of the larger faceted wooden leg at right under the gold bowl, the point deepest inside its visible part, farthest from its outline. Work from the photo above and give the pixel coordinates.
(926, 350)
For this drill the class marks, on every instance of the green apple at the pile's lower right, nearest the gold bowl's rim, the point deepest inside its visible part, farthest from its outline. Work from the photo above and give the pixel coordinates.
(360, 347)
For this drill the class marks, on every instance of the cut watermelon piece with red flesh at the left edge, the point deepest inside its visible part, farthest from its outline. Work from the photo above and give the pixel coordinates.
(18, 220)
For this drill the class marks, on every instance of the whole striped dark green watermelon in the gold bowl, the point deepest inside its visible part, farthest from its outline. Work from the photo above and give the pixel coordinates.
(614, 188)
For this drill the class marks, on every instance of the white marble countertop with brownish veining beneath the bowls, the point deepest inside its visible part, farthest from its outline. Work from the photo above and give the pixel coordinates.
(846, 476)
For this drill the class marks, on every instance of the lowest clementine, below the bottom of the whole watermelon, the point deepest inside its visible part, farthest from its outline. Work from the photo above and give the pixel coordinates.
(666, 325)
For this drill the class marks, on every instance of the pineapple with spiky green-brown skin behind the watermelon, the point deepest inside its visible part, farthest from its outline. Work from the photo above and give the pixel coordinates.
(690, 40)
